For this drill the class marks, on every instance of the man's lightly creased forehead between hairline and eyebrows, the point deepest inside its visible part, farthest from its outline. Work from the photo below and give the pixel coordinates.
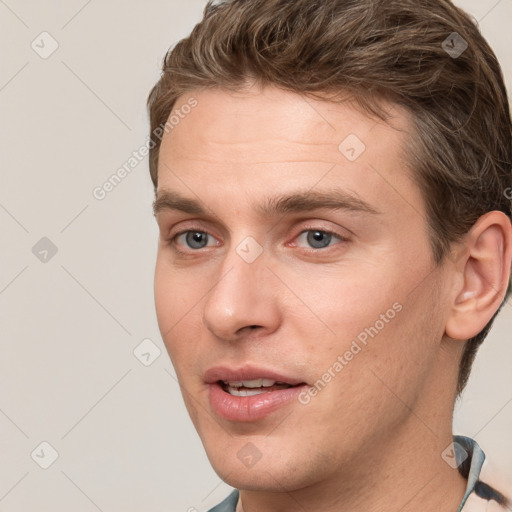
(266, 139)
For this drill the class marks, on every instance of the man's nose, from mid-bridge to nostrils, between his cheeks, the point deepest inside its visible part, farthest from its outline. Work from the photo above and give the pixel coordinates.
(244, 298)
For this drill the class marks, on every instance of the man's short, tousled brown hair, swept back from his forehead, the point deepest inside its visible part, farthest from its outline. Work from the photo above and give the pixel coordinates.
(461, 145)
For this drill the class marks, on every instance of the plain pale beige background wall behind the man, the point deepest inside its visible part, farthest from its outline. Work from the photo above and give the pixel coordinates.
(68, 373)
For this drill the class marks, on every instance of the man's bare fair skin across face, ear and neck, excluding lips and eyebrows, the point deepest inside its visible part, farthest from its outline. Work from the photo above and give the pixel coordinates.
(372, 439)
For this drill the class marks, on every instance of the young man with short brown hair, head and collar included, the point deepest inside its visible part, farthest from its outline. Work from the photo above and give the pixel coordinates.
(331, 186)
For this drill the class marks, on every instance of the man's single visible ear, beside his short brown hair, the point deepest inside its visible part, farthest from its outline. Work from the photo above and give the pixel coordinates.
(484, 273)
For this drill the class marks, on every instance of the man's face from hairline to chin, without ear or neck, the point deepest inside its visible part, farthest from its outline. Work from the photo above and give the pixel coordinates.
(295, 286)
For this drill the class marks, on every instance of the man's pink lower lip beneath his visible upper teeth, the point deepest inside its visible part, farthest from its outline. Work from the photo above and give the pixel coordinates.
(251, 408)
